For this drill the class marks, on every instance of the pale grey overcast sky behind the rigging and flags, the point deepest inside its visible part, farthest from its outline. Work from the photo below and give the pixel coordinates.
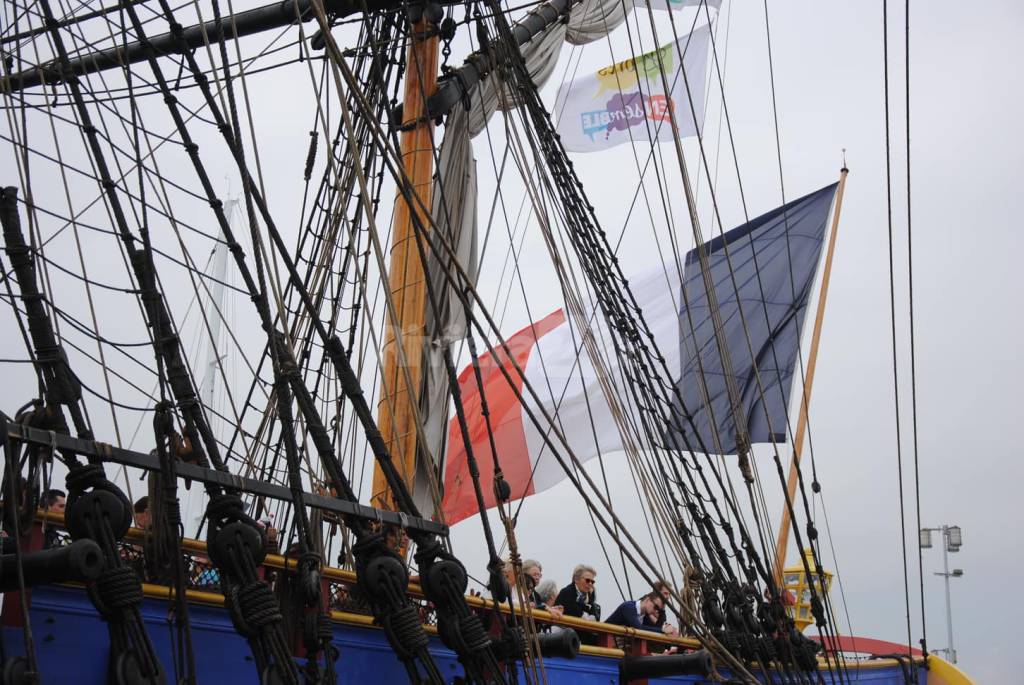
(966, 155)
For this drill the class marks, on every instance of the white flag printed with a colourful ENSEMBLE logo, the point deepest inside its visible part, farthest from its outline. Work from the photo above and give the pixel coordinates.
(627, 102)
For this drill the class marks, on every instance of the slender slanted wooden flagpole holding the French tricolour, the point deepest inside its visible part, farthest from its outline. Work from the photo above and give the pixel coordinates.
(798, 444)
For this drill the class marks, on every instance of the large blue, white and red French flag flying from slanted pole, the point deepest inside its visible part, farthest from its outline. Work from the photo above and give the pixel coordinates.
(774, 264)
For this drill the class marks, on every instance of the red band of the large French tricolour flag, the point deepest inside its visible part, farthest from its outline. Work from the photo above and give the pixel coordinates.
(506, 421)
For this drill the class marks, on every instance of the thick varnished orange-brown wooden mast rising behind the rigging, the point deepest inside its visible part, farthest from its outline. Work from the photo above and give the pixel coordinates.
(407, 281)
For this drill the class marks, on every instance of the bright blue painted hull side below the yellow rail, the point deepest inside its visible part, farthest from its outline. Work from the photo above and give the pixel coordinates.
(72, 644)
